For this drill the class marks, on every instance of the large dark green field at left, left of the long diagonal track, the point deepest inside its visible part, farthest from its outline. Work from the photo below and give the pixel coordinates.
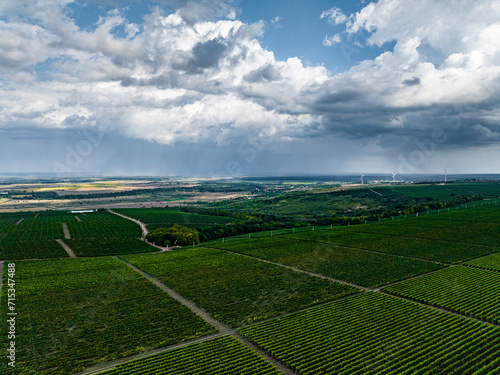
(78, 312)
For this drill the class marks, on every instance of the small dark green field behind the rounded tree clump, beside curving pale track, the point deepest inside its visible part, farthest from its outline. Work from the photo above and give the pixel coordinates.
(160, 217)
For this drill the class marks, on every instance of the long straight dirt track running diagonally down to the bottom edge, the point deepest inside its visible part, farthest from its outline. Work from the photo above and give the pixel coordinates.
(223, 329)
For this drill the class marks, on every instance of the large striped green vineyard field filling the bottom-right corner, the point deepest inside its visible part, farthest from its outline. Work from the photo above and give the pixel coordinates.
(379, 334)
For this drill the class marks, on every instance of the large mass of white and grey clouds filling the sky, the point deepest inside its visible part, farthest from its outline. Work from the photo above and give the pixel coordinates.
(199, 76)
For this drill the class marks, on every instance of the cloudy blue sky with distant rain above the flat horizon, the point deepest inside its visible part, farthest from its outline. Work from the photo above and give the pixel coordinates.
(248, 87)
